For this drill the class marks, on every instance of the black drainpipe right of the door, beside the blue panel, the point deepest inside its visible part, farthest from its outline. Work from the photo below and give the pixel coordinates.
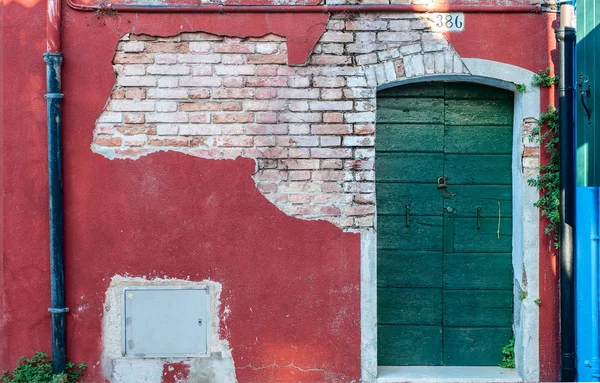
(566, 47)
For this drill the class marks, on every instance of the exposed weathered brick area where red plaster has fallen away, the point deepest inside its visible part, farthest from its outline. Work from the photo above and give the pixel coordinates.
(311, 129)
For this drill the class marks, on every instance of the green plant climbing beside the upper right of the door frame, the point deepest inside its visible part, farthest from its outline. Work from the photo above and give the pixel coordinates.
(548, 180)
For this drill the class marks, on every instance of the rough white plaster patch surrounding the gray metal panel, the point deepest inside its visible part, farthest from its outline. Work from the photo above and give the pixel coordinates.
(217, 366)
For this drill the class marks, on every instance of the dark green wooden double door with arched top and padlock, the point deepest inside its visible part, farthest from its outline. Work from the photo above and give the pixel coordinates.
(444, 270)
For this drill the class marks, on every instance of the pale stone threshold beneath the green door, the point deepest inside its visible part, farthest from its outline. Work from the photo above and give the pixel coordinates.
(447, 374)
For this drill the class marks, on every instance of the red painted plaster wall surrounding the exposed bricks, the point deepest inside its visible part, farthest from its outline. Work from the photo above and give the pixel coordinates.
(179, 216)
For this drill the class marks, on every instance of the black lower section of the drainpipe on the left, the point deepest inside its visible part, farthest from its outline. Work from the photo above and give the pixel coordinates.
(57, 274)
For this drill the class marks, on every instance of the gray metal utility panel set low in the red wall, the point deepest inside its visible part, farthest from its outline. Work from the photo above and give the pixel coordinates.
(165, 321)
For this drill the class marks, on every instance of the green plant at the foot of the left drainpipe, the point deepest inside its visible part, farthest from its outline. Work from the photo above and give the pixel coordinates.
(39, 370)
